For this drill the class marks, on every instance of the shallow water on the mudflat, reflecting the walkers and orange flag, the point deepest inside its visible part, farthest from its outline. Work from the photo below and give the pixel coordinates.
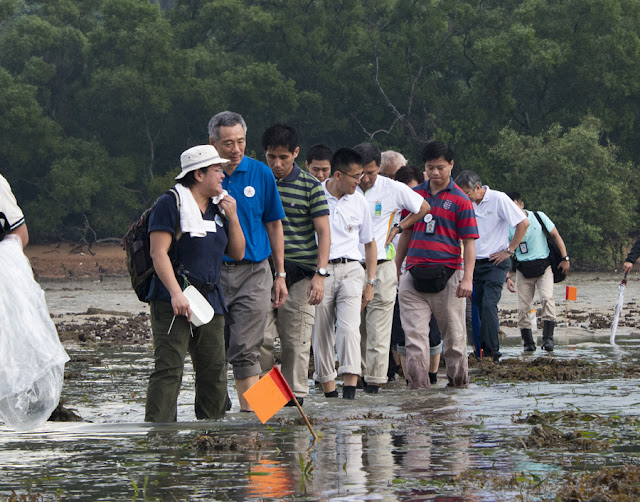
(398, 445)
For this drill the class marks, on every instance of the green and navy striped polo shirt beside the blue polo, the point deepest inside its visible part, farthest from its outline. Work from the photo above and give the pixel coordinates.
(303, 200)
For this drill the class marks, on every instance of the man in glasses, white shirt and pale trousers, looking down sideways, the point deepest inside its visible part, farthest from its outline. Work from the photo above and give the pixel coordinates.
(347, 291)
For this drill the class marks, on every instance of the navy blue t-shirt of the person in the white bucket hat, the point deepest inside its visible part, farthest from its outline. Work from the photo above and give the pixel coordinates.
(201, 257)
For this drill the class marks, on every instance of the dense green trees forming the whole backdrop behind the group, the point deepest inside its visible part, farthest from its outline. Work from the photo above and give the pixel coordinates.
(99, 97)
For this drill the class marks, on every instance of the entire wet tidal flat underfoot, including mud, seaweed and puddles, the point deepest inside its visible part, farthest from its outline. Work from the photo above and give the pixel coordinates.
(539, 427)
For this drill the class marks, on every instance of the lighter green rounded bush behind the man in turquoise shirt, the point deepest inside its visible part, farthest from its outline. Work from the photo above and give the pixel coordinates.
(579, 183)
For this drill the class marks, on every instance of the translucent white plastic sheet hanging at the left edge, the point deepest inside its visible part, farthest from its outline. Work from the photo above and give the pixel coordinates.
(31, 356)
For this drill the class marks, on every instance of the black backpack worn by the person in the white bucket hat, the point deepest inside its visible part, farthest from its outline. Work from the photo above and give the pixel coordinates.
(137, 245)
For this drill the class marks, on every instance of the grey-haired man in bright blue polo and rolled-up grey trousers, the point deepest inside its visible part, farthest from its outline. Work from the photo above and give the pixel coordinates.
(247, 284)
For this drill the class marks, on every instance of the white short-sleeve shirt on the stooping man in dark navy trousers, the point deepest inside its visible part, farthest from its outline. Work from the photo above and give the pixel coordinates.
(495, 214)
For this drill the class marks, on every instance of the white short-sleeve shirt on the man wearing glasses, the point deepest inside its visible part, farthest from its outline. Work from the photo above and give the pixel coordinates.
(350, 224)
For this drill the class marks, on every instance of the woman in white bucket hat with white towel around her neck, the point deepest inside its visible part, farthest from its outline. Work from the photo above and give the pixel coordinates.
(209, 225)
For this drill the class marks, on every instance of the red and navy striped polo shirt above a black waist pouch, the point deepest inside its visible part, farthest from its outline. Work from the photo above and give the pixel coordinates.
(454, 219)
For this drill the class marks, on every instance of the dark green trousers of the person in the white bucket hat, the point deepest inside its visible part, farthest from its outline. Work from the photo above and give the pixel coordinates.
(207, 351)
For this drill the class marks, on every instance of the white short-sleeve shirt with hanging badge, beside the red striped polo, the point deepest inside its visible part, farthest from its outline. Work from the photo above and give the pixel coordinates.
(386, 199)
